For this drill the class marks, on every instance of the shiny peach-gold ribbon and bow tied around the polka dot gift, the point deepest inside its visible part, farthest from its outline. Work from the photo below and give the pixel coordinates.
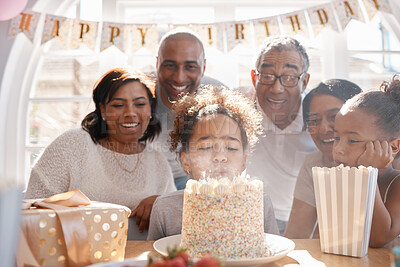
(74, 229)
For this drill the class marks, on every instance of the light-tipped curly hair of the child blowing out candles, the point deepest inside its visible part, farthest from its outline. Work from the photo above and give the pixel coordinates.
(215, 100)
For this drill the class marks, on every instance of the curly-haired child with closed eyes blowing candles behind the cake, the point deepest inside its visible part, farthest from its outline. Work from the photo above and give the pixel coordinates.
(213, 134)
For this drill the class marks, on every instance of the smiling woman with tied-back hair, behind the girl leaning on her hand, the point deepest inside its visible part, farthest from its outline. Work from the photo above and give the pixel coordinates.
(320, 107)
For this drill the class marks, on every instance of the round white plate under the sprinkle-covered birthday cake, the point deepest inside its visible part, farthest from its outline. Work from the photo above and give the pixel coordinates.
(278, 244)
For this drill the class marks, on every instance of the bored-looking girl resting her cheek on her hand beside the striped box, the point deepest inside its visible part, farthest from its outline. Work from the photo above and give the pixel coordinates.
(367, 132)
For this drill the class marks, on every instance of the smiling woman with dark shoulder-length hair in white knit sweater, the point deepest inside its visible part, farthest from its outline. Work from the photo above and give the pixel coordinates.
(107, 158)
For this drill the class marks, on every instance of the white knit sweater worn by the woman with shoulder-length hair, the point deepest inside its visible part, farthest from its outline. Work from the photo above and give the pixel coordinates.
(74, 161)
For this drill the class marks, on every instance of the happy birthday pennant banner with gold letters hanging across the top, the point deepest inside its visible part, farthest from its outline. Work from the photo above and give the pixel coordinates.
(224, 36)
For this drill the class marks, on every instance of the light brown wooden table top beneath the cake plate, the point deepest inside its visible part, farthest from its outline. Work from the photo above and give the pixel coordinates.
(375, 257)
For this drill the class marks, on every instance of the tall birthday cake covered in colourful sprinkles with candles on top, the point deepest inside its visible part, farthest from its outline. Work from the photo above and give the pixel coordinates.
(224, 218)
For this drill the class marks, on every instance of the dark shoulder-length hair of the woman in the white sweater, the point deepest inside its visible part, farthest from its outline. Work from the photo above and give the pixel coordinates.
(103, 92)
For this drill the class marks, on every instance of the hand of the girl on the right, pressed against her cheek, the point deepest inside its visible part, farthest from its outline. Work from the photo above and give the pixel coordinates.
(377, 154)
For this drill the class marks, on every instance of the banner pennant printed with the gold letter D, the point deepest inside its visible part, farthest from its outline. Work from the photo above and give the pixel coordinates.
(322, 17)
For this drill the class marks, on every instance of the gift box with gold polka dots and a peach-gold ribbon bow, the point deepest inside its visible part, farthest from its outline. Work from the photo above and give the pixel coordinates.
(70, 230)
